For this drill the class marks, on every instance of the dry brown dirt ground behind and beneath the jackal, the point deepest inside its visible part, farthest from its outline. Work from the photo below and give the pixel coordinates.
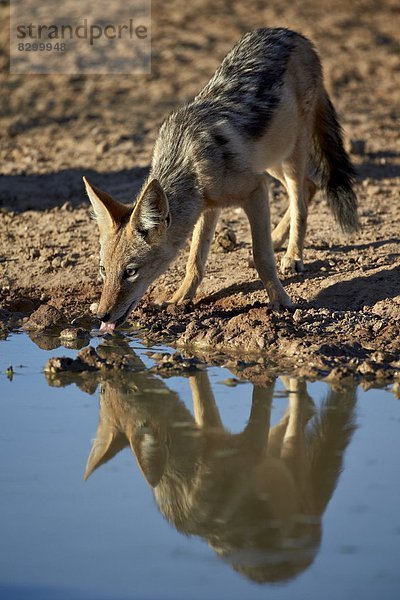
(346, 318)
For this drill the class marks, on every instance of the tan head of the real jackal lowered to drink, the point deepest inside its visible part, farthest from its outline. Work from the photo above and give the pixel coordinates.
(134, 248)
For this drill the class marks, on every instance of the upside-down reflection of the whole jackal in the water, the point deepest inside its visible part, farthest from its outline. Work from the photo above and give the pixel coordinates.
(258, 496)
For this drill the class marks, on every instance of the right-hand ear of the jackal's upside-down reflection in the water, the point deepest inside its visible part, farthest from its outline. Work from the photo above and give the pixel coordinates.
(151, 453)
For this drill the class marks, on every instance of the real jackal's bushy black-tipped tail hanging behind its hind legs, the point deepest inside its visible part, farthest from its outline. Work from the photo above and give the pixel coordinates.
(330, 166)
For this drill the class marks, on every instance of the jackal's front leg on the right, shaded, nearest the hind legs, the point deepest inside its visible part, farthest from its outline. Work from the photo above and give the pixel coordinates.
(257, 211)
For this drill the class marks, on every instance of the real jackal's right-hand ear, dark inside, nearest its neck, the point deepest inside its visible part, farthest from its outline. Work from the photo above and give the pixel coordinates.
(151, 209)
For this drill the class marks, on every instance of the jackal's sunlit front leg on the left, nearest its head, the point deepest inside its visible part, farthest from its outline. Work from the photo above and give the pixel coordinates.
(203, 235)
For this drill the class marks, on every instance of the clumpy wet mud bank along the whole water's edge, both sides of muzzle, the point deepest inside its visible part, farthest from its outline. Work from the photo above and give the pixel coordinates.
(253, 341)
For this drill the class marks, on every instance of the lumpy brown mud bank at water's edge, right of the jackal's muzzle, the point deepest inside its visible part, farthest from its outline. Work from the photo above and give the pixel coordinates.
(307, 341)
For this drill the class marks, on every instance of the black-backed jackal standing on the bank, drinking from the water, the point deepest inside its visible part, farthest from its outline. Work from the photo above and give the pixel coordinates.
(265, 109)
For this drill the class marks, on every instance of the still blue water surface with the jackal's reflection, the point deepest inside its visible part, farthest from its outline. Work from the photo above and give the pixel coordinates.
(194, 489)
